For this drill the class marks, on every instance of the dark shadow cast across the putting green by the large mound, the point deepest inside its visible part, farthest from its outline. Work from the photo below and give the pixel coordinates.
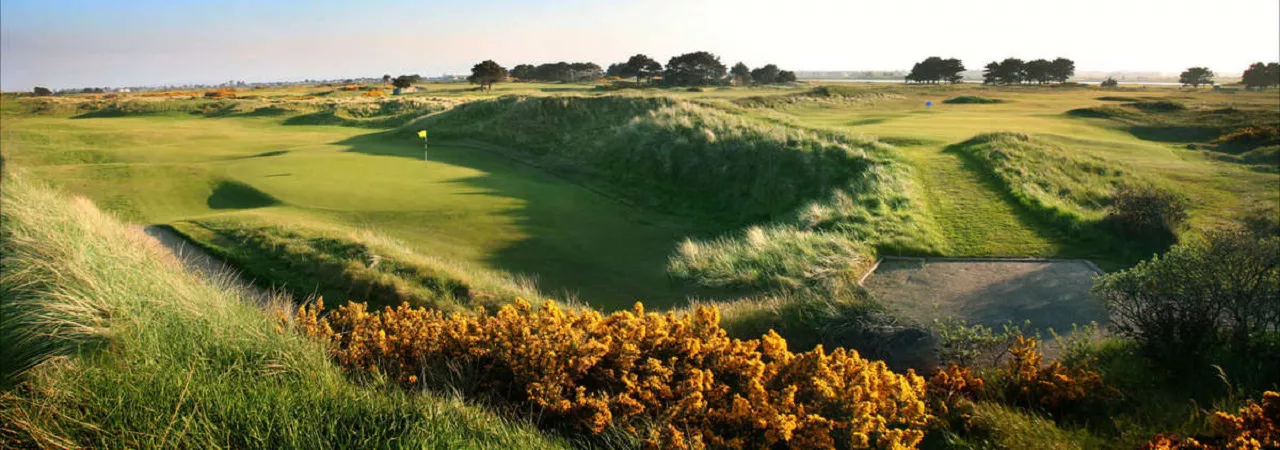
(579, 242)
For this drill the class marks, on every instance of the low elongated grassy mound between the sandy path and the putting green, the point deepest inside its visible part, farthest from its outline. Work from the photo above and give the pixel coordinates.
(342, 265)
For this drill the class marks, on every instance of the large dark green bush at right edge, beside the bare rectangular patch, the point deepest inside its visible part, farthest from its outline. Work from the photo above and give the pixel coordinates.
(1199, 297)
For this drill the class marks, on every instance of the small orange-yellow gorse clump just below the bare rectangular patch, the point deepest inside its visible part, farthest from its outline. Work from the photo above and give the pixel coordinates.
(1055, 388)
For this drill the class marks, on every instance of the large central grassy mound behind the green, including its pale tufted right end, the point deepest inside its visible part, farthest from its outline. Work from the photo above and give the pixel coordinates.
(728, 168)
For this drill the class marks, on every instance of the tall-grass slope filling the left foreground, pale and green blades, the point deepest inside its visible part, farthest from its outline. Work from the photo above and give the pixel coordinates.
(108, 343)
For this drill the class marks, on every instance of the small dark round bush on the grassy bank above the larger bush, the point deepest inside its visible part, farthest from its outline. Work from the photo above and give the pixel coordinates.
(1148, 213)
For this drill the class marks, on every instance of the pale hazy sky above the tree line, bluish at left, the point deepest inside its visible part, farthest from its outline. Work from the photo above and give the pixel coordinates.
(100, 43)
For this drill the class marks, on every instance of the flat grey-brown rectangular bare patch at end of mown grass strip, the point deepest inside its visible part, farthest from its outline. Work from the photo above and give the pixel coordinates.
(1052, 295)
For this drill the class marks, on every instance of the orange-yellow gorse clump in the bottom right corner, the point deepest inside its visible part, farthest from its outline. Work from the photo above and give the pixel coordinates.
(1254, 428)
